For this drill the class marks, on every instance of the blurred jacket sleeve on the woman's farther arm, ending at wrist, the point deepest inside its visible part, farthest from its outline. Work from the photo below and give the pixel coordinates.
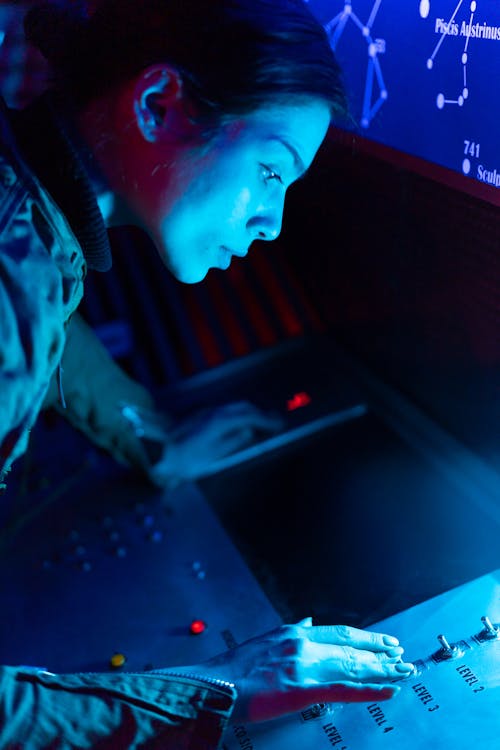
(94, 388)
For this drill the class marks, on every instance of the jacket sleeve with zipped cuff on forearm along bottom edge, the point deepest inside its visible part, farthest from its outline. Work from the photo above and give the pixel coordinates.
(40, 710)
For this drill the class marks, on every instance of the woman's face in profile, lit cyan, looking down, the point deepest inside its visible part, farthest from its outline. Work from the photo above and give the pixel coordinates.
(203, 204)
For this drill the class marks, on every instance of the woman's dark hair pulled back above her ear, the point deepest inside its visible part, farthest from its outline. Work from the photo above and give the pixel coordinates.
(233, 55)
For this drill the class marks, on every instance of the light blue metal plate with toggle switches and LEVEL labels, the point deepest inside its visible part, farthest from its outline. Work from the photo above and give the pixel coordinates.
(452, 700)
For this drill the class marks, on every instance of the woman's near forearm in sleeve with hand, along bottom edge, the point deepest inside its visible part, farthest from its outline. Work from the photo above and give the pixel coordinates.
(275, 674)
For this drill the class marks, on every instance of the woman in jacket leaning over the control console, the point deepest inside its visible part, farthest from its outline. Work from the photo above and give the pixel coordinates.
(190, 119)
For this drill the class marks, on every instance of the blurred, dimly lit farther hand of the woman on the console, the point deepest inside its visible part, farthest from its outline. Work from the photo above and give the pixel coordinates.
(196, 445)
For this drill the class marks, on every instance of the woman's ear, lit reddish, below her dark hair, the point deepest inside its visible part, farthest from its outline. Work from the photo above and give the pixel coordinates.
(157, 96)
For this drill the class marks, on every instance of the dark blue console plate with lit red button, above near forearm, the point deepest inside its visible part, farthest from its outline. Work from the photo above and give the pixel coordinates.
(116, 567)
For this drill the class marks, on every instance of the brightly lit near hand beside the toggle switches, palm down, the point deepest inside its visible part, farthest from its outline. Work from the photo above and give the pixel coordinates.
(295, 666)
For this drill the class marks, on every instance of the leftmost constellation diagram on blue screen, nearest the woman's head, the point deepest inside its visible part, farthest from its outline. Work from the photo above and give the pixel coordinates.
(375, 47)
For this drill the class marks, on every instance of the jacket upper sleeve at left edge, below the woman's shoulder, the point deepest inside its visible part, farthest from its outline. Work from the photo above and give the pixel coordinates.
(33, 311)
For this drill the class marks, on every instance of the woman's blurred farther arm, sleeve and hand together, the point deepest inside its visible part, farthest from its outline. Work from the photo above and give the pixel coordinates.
(118, 414)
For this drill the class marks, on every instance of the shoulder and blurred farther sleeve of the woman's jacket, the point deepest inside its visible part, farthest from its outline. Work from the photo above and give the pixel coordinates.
(48, 355)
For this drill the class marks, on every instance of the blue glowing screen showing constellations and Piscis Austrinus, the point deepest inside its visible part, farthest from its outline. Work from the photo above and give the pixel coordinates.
(423, 77)
